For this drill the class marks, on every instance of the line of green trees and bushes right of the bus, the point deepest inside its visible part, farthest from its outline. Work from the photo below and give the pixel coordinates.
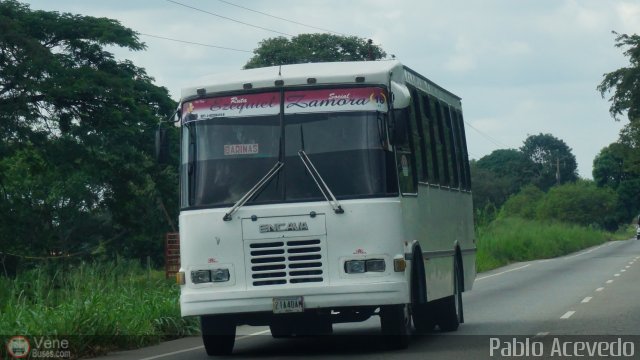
(539, 180)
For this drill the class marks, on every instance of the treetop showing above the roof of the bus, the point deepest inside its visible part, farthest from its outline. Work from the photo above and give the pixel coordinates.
(306, 48)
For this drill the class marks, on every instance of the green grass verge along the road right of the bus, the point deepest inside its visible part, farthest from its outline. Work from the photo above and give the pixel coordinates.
(508, 240)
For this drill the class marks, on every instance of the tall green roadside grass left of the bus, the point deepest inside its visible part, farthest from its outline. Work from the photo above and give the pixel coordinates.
(99, 306)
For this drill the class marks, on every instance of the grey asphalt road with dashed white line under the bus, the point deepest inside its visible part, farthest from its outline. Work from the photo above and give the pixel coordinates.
(589, 297)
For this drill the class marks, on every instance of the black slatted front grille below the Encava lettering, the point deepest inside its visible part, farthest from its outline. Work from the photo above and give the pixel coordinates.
(279, 262)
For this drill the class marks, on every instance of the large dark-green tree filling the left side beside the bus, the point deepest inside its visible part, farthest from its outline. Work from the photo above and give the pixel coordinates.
(76, 137)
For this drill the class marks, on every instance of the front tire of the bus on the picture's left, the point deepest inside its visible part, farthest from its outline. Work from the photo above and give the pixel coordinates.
(218, 334)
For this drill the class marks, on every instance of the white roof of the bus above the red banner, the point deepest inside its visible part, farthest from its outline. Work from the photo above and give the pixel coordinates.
(327, 73)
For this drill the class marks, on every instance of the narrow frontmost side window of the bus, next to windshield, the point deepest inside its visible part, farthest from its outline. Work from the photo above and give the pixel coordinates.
(404, 154)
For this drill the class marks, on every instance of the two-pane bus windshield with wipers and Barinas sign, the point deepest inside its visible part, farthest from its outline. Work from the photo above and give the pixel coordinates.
(224, 157)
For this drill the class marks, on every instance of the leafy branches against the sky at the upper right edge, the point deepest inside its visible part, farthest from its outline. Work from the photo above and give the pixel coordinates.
(624, 82)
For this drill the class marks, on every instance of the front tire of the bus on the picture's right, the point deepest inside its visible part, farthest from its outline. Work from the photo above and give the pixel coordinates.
(395, 321)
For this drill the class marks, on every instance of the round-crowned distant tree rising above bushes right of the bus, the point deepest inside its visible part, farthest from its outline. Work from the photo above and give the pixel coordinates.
(550, 154)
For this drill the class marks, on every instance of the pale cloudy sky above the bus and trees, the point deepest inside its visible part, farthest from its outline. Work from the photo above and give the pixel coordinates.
(521, 67)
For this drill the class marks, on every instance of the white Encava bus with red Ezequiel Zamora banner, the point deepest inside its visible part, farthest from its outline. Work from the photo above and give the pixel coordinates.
(316, 194)
